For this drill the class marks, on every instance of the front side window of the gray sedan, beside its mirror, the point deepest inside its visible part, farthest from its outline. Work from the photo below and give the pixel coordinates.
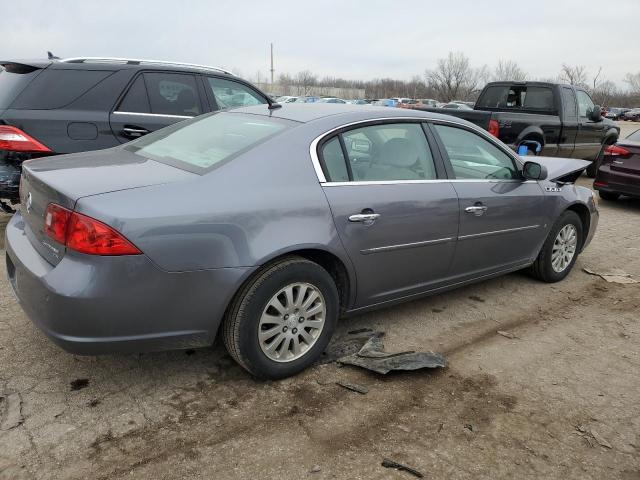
(474, 157)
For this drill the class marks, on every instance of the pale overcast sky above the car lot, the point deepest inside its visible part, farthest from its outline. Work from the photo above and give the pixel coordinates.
(351, 39)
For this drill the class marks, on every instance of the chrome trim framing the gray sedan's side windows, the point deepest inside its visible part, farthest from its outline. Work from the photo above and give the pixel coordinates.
(315, 160)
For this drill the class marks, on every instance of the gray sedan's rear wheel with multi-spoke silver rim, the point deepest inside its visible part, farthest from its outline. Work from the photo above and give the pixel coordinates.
(283, 318)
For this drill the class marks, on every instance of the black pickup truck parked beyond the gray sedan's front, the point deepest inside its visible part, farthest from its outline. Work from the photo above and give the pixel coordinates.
(561, 118)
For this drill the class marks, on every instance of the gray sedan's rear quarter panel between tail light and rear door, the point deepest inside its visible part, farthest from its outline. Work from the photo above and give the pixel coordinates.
(257, 206)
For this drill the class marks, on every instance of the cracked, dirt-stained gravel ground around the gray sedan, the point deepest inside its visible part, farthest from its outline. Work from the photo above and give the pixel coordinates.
(559, 400)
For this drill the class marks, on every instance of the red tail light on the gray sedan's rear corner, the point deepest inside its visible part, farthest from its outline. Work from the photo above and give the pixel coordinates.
(85, 234)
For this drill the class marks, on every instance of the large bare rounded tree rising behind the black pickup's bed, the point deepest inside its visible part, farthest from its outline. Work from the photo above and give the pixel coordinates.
(454, 78)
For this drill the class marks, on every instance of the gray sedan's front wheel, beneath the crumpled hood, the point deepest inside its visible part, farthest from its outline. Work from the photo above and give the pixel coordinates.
(560, 249)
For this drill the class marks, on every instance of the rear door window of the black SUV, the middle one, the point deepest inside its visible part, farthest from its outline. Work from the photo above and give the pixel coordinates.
(173, 94)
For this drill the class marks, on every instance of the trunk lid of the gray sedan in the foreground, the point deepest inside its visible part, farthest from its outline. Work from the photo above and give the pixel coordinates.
(65, 179)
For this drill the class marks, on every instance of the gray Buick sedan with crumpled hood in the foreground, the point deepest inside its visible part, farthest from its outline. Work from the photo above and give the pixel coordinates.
(268, 224)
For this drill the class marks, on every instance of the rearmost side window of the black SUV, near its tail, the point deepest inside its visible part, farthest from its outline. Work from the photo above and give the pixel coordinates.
(58, 88)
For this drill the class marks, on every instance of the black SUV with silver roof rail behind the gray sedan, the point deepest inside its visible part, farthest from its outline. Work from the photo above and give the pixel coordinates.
(78, 104)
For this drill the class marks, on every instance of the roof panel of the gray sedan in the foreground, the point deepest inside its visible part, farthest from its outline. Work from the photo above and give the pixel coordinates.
(309, 112)
